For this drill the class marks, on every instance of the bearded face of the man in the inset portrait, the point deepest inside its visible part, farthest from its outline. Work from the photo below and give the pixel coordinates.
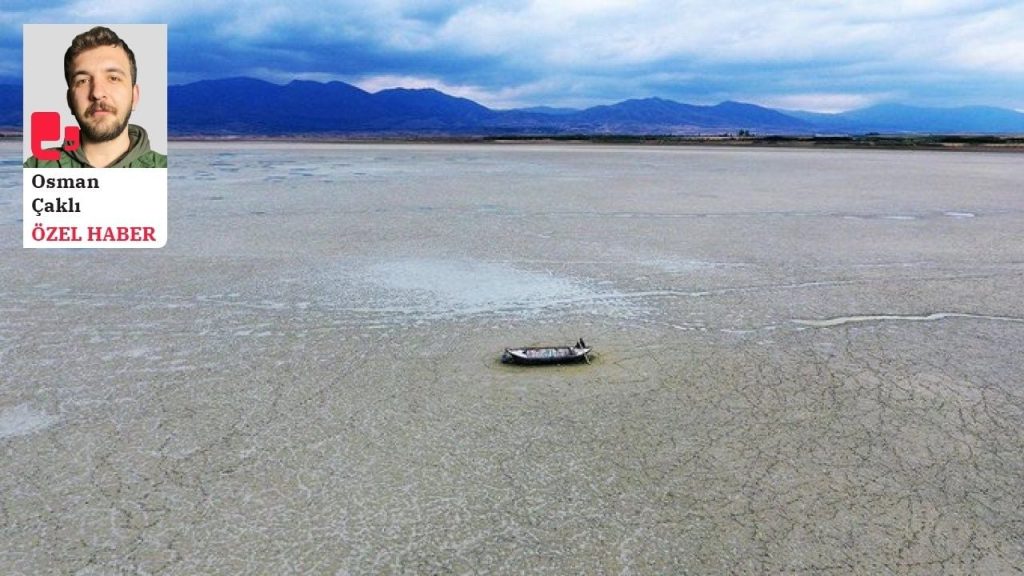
(102, 96)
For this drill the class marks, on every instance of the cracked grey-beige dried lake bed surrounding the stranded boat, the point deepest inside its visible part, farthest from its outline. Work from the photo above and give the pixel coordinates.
(807, 362)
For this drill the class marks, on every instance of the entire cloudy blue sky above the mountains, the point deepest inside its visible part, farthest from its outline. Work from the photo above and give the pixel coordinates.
(812, 55)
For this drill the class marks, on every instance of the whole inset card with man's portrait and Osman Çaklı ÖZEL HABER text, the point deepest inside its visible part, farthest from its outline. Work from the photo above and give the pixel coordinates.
(96, 97)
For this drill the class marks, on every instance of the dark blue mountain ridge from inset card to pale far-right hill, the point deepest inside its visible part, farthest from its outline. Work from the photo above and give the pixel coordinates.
(243, 106)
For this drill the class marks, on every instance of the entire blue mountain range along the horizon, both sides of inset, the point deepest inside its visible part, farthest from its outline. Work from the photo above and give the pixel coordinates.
(250, 107)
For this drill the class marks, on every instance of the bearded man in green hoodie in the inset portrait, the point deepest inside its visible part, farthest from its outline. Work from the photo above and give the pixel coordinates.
(101, 72)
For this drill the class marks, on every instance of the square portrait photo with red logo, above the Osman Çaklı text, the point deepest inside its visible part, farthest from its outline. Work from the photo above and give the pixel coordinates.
(96, 96)
